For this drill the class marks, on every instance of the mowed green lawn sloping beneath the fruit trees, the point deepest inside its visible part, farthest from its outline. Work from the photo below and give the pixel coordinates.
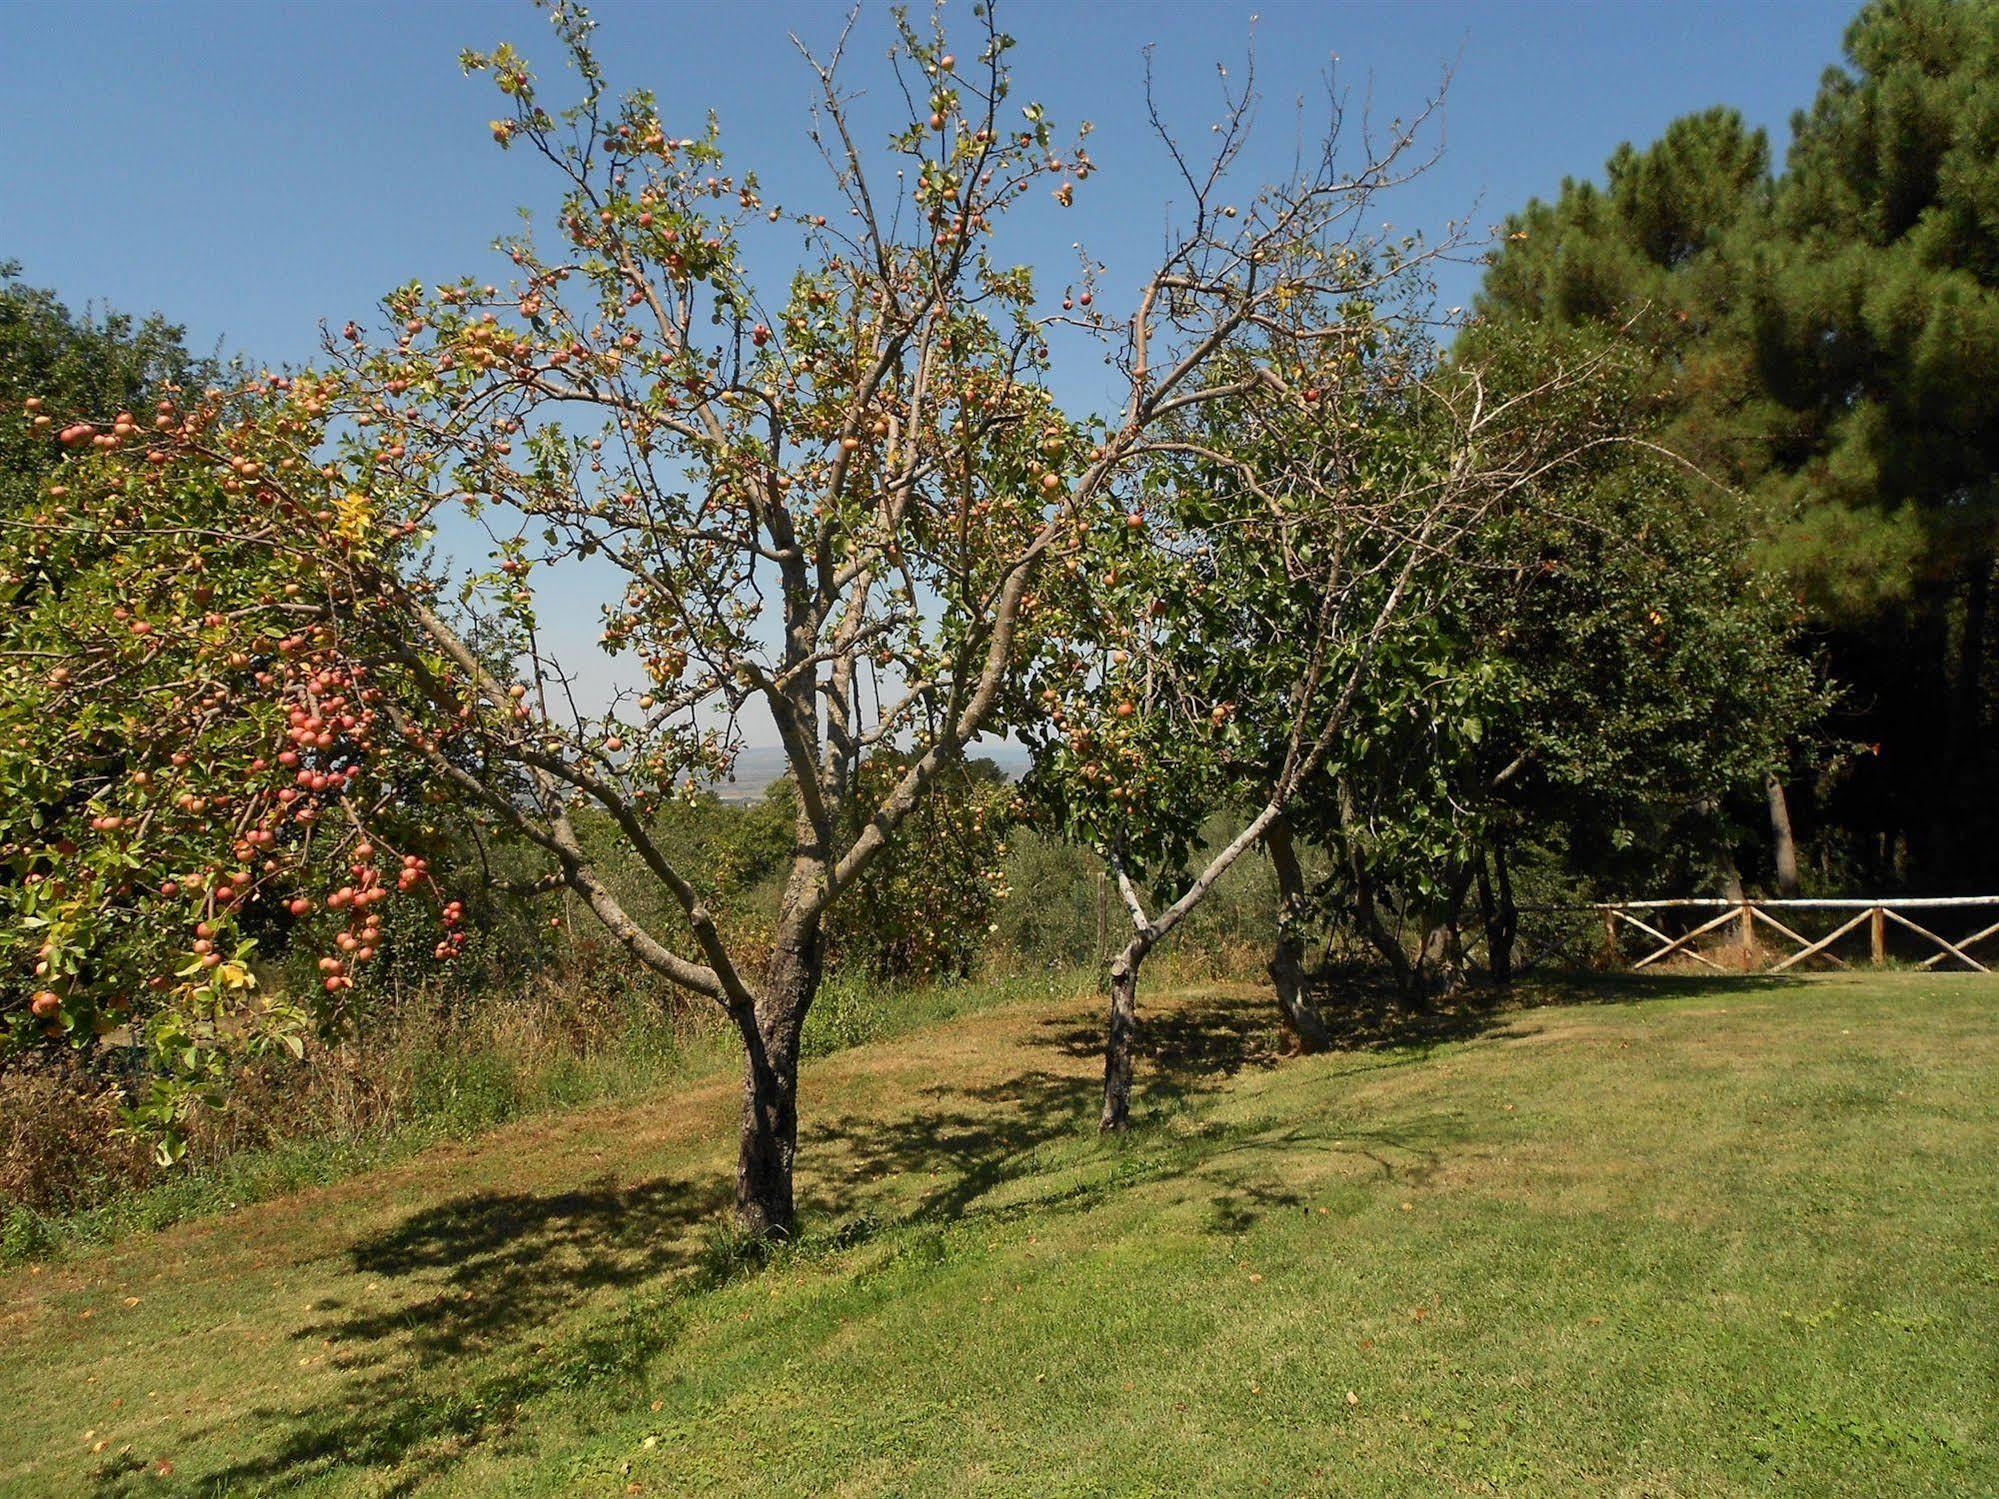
(1676, 1238)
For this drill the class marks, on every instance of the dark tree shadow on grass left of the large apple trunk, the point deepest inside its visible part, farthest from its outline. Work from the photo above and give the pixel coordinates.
(467, 1330)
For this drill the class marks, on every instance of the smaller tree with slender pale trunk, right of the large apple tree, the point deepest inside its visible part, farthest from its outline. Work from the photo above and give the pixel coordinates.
(1274, 593)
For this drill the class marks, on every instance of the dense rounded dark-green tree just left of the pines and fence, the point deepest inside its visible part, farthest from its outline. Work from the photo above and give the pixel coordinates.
(1604, 683)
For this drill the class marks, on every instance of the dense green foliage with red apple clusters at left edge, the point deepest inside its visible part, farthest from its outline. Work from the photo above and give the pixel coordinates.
(193, 754)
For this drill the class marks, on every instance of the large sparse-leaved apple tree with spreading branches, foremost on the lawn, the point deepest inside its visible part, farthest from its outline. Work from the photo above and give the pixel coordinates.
(841, 505)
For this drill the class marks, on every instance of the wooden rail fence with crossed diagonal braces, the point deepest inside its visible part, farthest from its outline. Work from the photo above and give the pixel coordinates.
(1880, 918)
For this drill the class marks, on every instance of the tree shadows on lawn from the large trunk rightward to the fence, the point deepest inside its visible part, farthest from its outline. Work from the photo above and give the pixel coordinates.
(969, 1140)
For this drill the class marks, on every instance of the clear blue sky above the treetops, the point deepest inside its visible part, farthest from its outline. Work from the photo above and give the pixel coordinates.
(255, 169)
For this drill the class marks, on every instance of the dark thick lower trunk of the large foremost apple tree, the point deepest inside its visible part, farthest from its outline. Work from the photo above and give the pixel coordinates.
(769, 1146)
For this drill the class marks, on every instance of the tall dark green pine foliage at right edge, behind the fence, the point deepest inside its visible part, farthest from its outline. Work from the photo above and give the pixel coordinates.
(1826, 341)
